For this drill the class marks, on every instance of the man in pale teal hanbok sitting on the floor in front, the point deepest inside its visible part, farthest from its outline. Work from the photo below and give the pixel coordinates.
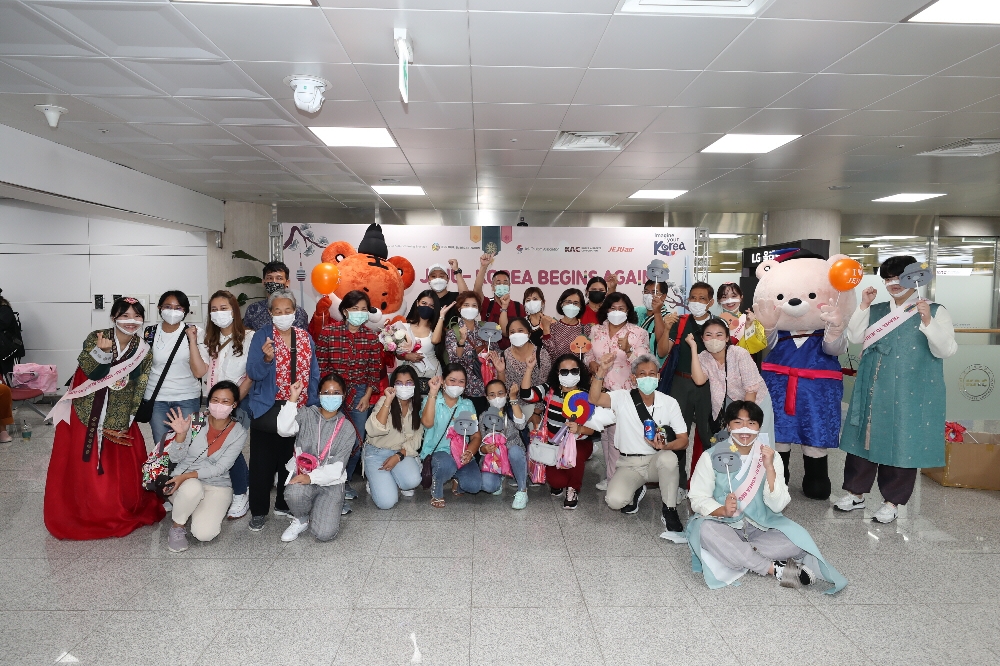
(738, 492)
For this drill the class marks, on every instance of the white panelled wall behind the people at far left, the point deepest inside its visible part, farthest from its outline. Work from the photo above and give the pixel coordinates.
(52, 262)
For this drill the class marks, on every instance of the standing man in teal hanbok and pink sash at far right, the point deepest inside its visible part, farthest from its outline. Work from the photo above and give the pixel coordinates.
(895, 423)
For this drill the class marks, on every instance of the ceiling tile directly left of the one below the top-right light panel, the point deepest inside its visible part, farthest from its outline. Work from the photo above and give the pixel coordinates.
(772, 45)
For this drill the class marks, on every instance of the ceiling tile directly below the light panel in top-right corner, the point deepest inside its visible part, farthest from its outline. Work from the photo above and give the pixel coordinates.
(895, 51)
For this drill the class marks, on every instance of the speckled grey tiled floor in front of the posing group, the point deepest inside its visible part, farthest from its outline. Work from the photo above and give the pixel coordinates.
(479, 583)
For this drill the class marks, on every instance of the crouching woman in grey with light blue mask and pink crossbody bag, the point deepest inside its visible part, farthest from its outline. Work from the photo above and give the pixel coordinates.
(316, 472)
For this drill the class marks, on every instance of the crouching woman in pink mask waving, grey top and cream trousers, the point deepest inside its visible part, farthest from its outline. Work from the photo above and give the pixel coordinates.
(201, 488)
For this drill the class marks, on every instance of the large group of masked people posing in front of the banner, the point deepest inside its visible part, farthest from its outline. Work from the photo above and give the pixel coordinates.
(456, 408)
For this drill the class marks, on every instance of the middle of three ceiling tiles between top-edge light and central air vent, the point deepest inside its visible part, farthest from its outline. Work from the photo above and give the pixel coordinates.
(641, 87)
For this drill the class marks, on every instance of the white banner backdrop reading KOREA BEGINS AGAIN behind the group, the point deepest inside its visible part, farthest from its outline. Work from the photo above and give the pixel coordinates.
(551, 258)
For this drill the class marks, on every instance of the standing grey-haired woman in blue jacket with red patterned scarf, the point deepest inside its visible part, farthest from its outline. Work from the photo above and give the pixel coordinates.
(278, 357)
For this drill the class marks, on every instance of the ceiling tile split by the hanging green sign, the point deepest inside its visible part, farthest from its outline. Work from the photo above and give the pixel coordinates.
(438, 83)
